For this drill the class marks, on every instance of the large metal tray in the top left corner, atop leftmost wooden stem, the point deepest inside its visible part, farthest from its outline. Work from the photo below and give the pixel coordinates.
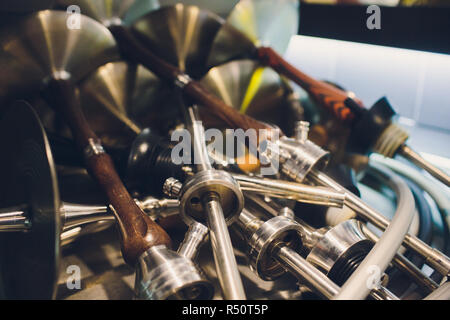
(41, 46)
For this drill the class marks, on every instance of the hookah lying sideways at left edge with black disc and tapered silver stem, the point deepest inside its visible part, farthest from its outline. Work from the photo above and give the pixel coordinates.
(33, 219)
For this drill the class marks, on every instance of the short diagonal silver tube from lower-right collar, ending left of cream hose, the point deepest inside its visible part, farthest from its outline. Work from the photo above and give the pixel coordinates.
(303, 270)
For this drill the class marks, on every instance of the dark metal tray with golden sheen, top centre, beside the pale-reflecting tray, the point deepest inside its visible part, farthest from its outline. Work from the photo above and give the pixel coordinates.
(180, 34)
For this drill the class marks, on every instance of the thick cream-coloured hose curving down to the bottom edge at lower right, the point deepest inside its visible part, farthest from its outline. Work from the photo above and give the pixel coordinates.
(356, 287)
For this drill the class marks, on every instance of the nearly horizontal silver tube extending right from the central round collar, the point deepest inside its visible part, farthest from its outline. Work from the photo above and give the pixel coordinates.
(291, 190)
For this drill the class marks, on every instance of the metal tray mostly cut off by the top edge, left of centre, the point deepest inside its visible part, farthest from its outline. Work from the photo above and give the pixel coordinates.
(112, 12)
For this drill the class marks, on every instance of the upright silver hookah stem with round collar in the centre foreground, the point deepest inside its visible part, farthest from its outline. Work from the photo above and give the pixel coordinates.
(213, 196)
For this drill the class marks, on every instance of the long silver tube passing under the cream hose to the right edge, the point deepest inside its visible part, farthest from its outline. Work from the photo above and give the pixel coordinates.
(439, 261)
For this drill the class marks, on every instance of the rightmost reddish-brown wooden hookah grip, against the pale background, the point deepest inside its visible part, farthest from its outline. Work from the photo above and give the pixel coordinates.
(323, 93)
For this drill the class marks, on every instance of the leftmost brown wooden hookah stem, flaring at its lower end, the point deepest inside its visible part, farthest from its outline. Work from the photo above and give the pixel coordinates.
(138, 231)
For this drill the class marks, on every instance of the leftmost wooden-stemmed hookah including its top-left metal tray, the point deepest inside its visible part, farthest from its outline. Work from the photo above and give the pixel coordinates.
(139, 234)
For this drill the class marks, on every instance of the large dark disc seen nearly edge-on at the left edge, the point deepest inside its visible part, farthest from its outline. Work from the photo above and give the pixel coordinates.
(29, 260)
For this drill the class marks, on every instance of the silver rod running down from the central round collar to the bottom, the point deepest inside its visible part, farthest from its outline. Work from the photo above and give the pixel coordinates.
(226, 265)
